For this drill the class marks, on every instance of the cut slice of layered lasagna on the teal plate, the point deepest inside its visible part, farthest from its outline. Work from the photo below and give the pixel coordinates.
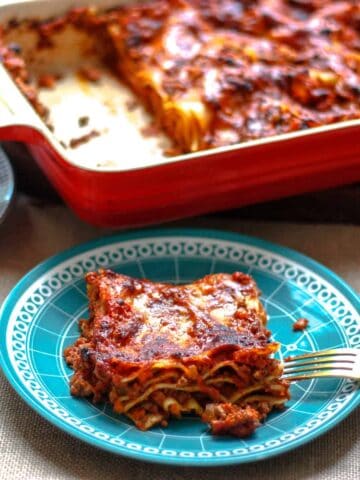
(156, 351)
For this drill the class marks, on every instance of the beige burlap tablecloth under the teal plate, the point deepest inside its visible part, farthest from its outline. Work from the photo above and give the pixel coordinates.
(31, 448)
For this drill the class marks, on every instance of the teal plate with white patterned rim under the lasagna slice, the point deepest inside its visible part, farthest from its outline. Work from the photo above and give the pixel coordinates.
(40, 318)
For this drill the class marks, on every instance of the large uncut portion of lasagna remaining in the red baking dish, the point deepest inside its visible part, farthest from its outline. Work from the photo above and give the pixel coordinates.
(220, 72)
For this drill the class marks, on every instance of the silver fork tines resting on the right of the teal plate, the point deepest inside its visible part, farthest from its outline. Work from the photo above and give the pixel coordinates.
(336, 362)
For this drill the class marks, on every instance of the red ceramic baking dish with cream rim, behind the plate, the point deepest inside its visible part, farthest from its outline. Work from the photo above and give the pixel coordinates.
(142, 189)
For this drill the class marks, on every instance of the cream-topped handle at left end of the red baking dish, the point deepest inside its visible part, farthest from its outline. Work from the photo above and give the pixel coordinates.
(18, 120)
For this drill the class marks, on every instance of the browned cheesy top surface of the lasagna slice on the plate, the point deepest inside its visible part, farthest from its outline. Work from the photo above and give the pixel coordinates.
(138, 320)
